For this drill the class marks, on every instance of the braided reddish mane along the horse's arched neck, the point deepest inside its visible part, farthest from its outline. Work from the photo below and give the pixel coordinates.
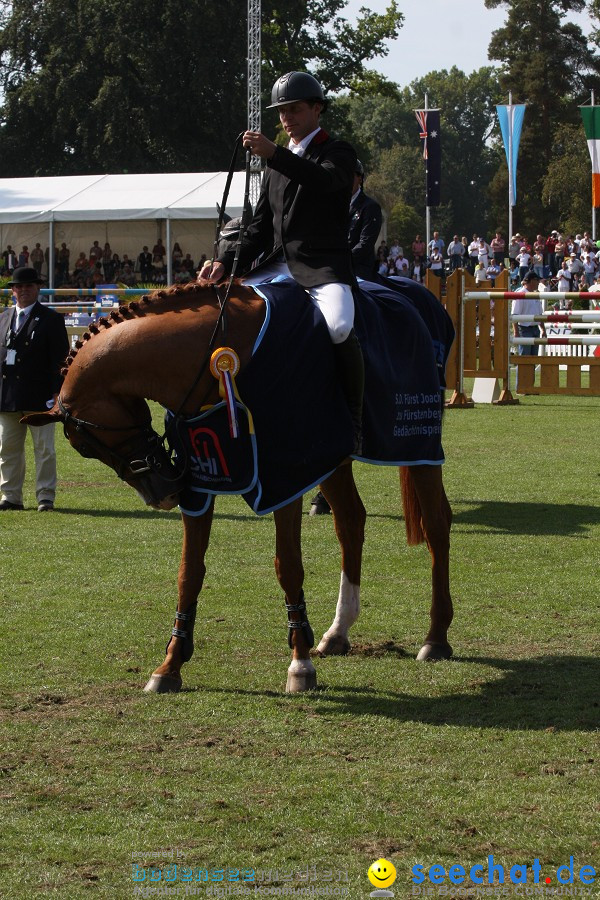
(178, 297)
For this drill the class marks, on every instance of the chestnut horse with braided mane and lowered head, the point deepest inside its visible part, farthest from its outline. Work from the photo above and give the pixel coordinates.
(151, 351)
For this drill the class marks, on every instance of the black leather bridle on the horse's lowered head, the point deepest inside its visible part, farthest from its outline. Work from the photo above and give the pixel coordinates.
(147, 461)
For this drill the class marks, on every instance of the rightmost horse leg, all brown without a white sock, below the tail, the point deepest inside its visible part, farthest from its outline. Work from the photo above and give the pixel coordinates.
(436, 518)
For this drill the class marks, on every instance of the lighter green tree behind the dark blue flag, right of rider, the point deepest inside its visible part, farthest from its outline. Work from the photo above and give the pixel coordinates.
(385, 132)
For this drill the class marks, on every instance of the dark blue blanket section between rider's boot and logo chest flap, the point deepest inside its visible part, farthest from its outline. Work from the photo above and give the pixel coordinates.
(303, 429)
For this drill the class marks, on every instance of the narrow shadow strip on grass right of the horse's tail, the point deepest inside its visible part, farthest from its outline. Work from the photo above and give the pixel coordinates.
(552, 519)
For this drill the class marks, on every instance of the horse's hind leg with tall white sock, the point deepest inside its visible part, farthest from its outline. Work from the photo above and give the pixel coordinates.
(349, 517)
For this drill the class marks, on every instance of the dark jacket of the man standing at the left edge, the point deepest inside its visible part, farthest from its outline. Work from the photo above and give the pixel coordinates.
(41, 348)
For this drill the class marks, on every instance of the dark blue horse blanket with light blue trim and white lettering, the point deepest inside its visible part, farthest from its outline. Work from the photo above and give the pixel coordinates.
(299, 428)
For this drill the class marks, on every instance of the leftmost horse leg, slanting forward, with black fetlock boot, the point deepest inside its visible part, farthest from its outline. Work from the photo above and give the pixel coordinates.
(196, 534)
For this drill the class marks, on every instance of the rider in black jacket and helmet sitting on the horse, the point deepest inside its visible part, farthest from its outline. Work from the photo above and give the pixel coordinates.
(301, 222)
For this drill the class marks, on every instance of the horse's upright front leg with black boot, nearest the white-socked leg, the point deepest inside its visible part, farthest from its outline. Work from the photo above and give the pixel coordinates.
(290, 574)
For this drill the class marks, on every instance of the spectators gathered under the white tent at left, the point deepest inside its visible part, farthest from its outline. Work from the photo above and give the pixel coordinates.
(103, 265)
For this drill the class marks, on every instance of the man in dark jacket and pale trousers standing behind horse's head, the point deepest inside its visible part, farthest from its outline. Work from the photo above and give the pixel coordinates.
(33, 346)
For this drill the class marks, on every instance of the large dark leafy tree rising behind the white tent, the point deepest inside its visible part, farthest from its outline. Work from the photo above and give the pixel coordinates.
(101, 85)
